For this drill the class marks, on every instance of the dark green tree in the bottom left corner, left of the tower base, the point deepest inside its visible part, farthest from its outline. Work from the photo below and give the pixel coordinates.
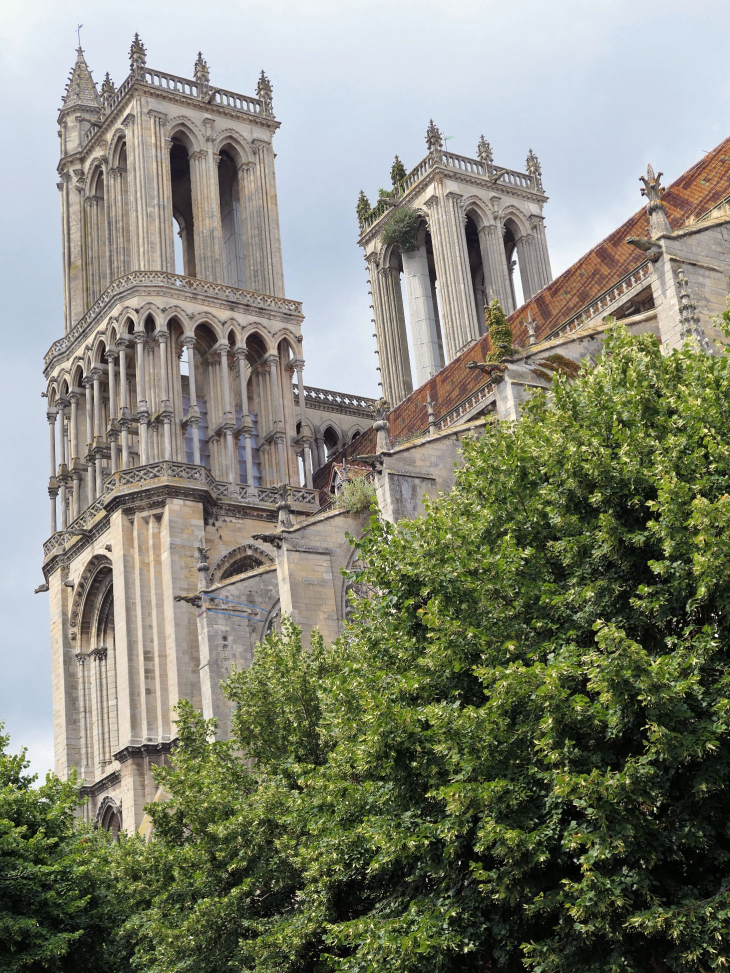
(57, 911)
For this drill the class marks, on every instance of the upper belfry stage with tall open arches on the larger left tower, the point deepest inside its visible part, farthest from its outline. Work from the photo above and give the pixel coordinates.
(212, 201)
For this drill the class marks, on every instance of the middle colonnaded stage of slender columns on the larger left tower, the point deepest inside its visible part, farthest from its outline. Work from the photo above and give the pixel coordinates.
(192, 393)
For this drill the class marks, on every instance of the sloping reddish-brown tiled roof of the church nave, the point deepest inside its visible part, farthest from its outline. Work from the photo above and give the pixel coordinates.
(697, 191)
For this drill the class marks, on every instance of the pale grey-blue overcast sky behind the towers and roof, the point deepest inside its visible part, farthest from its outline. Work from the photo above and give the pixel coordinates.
(597, 88)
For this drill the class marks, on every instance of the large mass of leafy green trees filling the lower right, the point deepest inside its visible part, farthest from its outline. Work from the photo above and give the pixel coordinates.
(516, 757)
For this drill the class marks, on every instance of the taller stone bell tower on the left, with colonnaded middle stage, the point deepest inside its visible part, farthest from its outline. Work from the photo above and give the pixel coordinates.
(174, 428)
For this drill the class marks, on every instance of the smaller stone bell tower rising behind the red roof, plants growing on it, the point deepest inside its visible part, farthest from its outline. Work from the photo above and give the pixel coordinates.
(474, 224)
